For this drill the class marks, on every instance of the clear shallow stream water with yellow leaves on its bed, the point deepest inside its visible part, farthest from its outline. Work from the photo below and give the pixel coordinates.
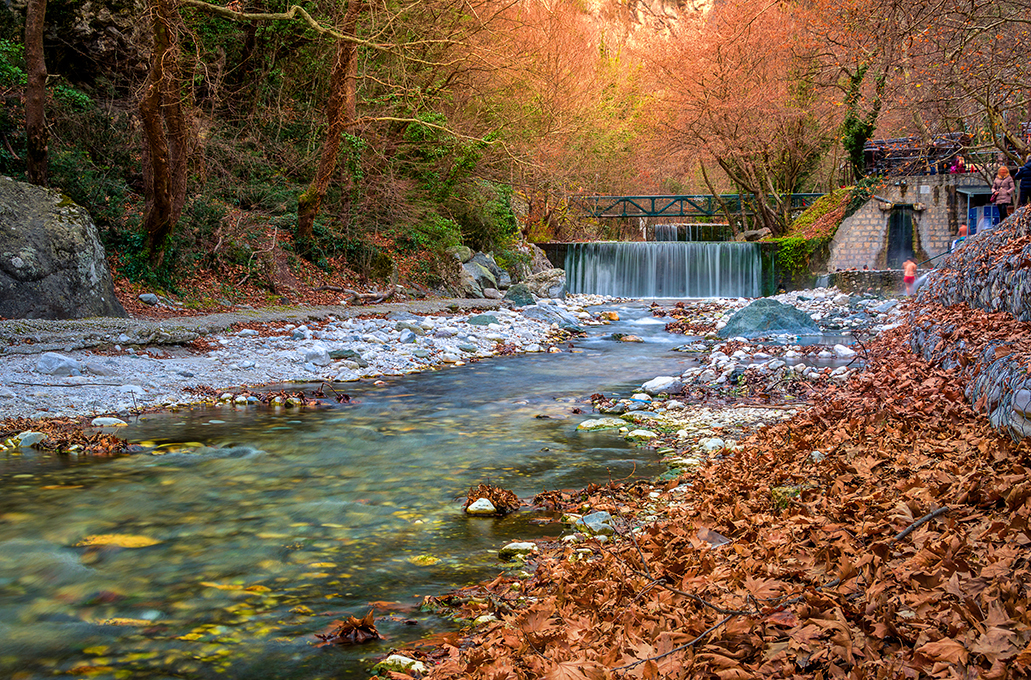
(300, 519)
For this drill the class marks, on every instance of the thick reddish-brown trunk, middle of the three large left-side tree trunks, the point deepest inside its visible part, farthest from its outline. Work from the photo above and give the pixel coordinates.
(165, 135)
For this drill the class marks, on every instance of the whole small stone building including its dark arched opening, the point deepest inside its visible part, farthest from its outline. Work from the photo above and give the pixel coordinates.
(916, 216)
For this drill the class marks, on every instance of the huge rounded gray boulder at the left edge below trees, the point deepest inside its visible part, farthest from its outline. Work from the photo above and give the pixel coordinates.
(52, 263)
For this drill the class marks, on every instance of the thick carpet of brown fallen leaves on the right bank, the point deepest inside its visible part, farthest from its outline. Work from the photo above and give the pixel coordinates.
(902, 550)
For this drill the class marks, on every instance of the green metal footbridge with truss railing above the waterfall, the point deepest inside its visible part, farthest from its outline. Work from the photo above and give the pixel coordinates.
(704, 206)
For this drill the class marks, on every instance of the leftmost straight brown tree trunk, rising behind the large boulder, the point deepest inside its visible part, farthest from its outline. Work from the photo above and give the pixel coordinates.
(36, 94)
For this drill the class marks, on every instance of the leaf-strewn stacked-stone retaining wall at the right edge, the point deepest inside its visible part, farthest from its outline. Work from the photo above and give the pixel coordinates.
(991, 271)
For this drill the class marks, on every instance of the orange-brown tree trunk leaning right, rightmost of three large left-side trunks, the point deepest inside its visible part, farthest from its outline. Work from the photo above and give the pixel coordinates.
(341, 114)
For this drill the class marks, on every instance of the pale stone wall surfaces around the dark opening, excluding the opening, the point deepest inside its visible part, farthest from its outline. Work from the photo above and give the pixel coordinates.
(939, 211)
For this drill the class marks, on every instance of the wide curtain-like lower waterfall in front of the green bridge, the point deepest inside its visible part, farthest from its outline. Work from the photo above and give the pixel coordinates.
(666, 269)
